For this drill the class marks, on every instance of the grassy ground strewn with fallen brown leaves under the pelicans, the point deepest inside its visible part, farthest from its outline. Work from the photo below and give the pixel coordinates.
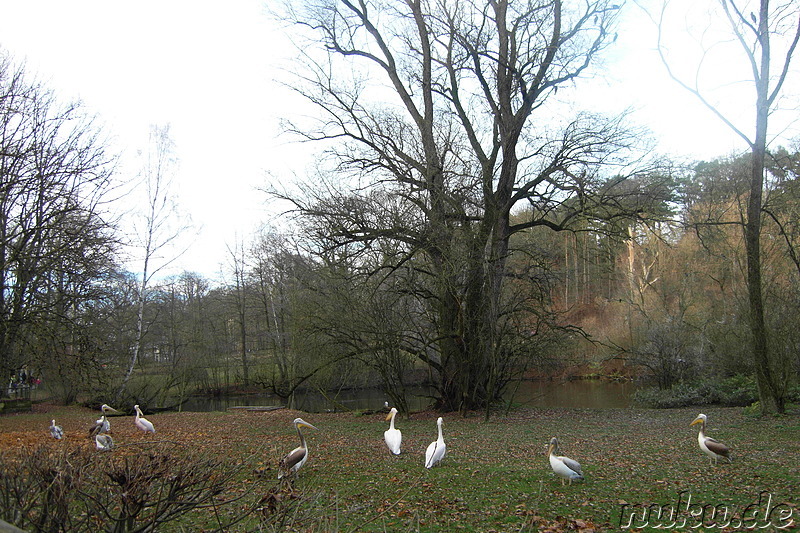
(496, 476)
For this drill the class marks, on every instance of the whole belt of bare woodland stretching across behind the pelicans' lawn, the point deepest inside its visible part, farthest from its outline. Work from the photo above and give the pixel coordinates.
(449, 240)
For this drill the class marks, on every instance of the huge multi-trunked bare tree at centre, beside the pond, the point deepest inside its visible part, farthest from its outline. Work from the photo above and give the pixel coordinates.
(438, 116)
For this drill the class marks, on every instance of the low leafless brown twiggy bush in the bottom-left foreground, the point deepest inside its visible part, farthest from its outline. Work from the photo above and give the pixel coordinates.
(79, 489)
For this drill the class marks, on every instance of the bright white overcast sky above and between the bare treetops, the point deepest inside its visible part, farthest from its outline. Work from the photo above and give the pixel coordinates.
(211, 71)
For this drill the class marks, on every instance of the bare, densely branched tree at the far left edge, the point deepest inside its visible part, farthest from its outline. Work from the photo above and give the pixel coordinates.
(56, 238)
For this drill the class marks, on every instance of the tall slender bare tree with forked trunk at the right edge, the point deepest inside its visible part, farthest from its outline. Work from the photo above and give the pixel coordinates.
(756, 27)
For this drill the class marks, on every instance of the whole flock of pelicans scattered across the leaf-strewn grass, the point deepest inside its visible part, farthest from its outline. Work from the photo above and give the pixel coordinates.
(565, 468)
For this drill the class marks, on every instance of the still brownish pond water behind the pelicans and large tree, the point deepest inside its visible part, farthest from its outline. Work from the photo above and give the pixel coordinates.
(544, 394)
